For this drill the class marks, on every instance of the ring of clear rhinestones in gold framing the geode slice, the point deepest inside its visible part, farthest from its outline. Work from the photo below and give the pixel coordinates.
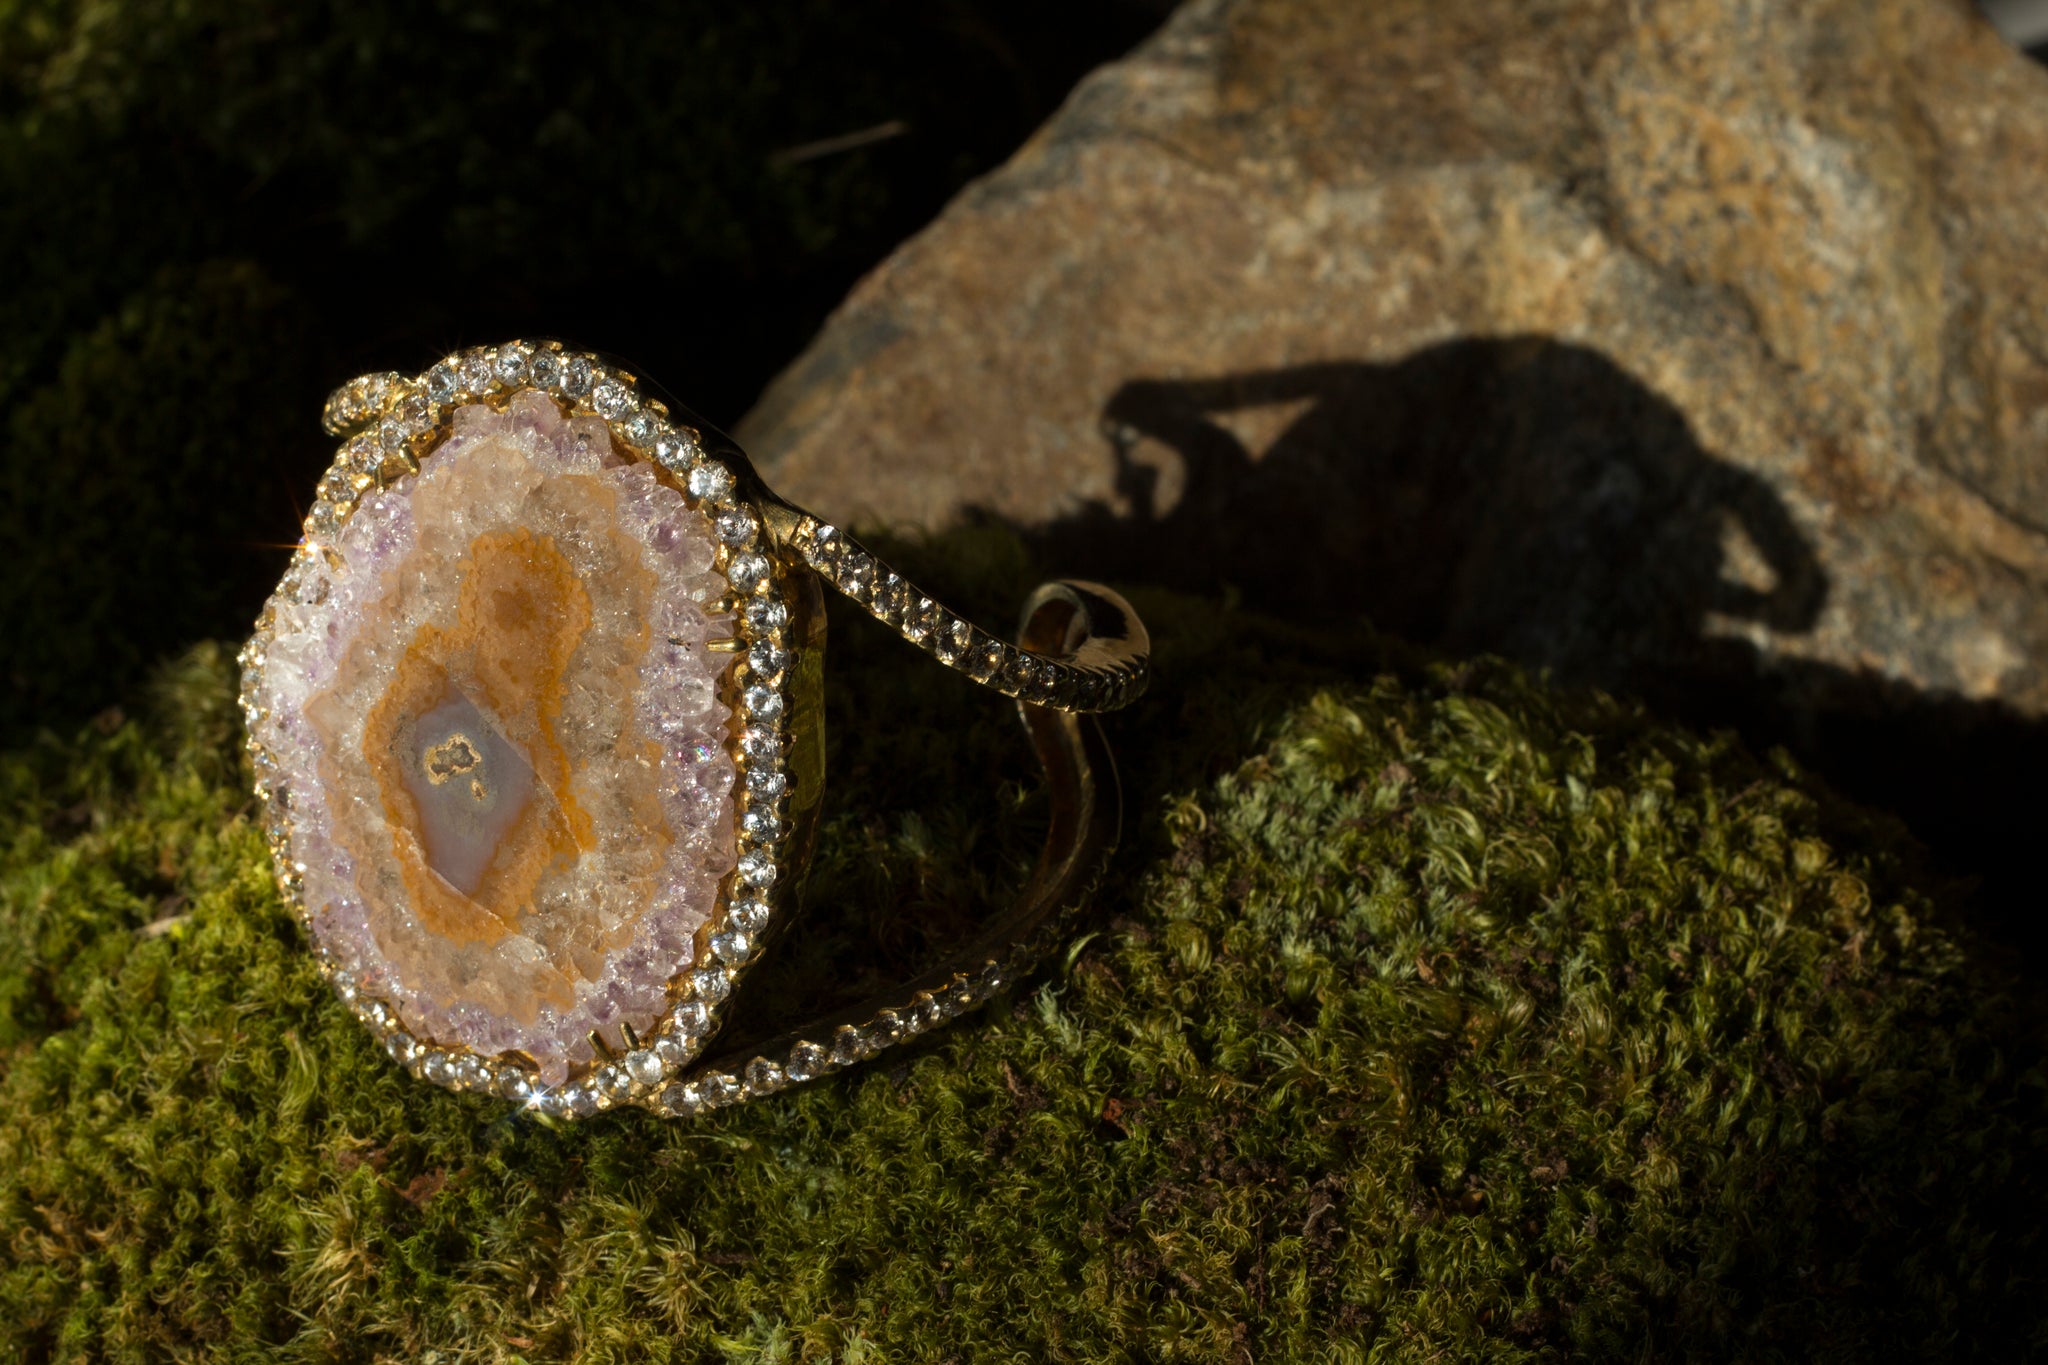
(394, 423)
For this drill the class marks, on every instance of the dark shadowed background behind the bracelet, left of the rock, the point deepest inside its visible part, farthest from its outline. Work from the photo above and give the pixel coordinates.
(216, 210)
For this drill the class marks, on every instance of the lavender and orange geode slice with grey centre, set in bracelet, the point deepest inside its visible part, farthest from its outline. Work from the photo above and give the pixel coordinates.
(505, 740)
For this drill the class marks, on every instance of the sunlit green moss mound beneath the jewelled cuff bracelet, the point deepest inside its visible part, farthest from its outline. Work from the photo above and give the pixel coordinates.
(1428, 1016)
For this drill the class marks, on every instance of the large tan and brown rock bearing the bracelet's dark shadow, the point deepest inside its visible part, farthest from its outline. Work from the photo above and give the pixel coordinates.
(1709, 341)
